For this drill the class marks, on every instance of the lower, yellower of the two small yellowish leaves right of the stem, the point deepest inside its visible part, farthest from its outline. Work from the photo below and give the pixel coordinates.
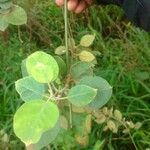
(86, 56)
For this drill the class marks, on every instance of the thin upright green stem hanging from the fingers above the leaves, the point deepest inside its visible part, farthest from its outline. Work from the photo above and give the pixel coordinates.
(66, 32)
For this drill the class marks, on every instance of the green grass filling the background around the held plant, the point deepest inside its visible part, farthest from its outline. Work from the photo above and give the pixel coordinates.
(124, 62)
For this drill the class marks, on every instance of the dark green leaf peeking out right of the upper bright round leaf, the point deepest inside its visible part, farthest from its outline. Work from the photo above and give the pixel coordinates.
(62, 65)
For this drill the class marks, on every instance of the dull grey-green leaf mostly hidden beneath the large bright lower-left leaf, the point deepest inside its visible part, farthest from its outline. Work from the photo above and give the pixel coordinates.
(47, 137)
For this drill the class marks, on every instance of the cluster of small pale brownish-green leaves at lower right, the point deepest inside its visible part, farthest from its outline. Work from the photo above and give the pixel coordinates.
(113, 120)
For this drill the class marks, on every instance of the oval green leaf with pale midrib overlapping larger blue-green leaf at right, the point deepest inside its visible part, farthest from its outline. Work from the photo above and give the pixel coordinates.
(81, 95)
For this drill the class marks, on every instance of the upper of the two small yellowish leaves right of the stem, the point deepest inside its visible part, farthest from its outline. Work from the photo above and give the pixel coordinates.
(87, 40)
